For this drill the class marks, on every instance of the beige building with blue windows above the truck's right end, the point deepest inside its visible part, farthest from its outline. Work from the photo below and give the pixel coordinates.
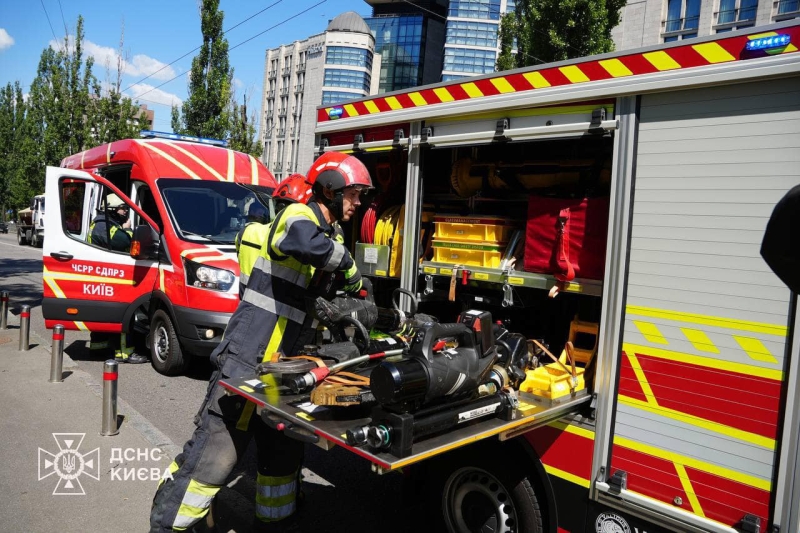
(649, 22)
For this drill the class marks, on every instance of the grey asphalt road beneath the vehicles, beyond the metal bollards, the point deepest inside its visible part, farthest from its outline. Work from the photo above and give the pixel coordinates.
(342, 494)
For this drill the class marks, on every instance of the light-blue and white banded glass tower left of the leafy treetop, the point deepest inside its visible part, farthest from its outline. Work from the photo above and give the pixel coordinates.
(472, 41)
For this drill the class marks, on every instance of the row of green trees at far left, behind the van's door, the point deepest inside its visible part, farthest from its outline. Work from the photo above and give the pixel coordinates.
(66, 111)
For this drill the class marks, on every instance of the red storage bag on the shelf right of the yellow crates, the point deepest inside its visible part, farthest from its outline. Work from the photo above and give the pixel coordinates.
(566, 237)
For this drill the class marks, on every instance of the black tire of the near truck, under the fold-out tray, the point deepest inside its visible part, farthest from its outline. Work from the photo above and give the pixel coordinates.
(484, 490)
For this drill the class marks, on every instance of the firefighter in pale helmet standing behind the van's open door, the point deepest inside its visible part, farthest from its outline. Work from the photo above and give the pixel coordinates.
(111, 230)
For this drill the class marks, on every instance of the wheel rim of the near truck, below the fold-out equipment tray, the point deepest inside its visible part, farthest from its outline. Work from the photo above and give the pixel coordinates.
(474, 500)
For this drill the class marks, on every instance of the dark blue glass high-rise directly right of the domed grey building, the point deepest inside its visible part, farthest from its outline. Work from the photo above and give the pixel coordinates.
(409, 37)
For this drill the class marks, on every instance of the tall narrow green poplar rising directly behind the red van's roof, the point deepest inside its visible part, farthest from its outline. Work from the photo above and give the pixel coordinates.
(206, 110)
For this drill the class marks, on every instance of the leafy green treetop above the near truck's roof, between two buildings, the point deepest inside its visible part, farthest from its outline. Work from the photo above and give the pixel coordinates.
(554, 30)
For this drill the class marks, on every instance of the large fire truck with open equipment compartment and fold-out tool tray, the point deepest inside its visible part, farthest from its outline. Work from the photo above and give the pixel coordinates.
(664, 164)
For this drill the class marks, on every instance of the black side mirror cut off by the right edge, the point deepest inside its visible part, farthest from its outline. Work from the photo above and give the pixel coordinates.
(781, 245)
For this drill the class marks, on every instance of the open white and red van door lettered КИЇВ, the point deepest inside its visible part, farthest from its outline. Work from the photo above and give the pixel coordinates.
(91, 282)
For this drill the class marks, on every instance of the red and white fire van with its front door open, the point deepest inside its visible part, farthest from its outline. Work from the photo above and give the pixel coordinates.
(176, 282)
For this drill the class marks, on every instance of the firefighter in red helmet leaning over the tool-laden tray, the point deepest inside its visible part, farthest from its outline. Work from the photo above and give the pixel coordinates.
(272, 319)
